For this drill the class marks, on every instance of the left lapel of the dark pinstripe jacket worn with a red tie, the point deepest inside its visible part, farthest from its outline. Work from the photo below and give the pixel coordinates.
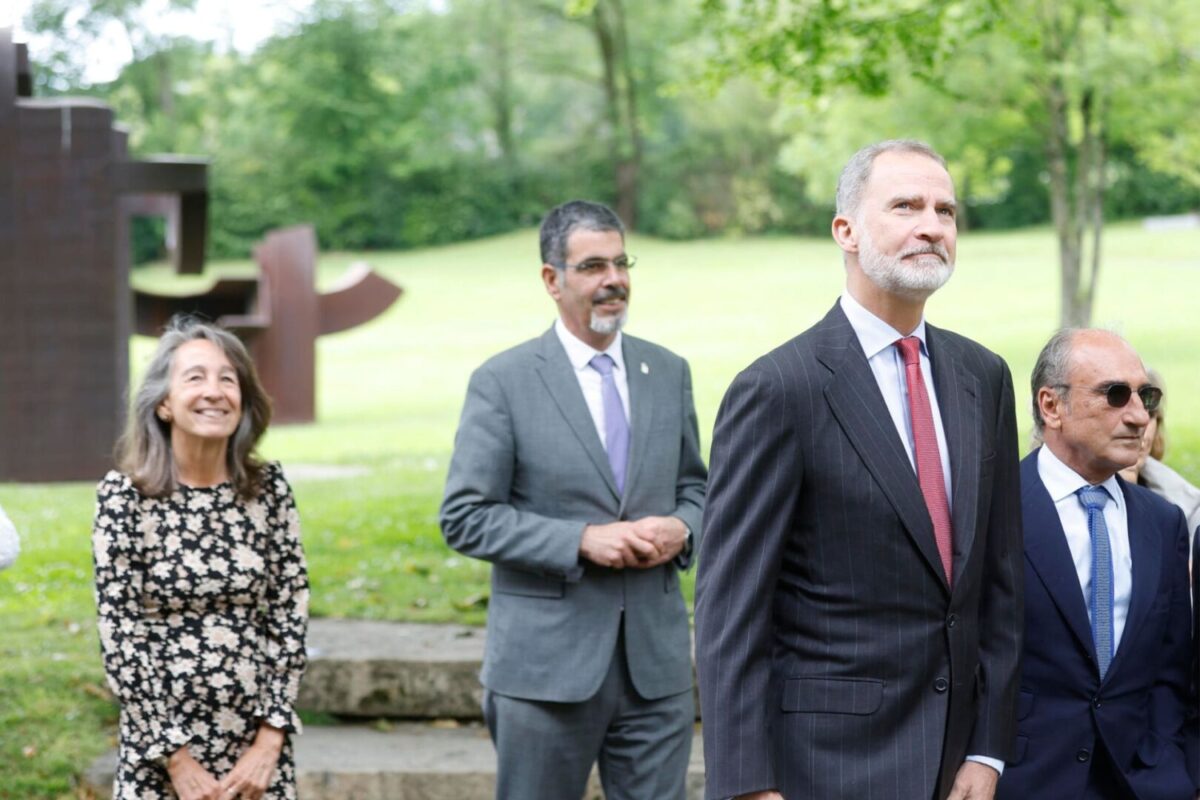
(856, 402)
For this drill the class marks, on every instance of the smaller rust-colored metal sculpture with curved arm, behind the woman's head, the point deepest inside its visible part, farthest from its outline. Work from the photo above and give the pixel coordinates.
(280, 315)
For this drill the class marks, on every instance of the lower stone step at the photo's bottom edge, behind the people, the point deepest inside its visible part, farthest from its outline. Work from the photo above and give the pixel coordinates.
(404, 762)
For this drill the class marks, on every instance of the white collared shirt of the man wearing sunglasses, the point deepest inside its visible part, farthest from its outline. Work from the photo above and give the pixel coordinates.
(1063, 483)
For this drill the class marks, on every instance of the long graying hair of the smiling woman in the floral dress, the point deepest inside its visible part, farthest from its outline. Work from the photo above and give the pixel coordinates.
(143, 453)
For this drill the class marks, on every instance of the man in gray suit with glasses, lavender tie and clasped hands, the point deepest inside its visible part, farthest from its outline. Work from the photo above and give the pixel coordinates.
(578, 474)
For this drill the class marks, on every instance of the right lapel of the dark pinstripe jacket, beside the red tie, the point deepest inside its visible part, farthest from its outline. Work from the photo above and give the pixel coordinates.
(959, 404)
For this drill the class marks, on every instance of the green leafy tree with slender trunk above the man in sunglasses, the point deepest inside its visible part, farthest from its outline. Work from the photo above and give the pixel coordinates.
(1078, 73)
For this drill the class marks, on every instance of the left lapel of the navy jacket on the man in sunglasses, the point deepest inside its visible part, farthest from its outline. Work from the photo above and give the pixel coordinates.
(1047, 551)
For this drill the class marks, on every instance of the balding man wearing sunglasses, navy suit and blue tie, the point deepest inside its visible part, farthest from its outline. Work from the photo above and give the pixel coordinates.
(1105, 701)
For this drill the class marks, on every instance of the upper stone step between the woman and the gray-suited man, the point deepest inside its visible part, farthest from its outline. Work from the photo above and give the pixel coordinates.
(393, 670)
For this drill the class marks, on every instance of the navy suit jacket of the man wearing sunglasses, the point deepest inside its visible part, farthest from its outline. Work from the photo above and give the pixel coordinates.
(1066, 713)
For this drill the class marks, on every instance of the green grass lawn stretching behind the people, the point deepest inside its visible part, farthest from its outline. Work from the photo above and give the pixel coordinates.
(391, 393)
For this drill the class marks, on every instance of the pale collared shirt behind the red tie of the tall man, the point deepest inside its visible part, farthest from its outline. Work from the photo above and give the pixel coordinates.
(879, 340)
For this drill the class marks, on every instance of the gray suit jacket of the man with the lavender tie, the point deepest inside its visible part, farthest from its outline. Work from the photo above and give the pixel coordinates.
(529, 474)
